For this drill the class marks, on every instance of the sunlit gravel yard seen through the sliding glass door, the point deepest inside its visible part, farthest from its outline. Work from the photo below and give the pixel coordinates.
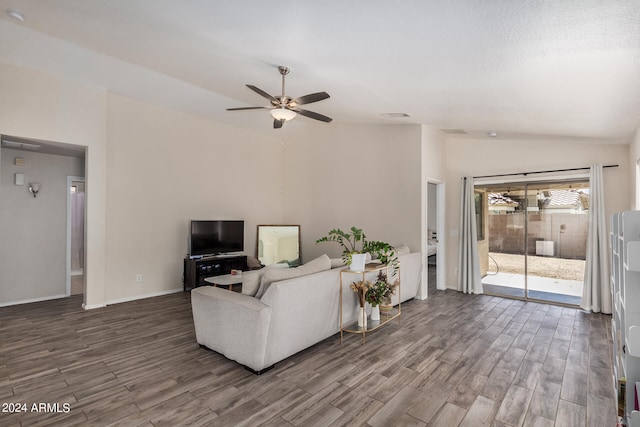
(557, 268)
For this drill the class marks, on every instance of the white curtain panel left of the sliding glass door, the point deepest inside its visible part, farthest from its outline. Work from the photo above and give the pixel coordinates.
(469, 280)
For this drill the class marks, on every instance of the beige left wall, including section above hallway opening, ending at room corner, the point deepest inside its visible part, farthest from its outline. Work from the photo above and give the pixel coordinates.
(162, 168)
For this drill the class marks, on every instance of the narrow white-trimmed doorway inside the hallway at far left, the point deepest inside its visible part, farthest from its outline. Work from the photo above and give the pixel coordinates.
(75, 235)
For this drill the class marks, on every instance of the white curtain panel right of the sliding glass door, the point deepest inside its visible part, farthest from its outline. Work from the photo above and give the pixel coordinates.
(596, 294)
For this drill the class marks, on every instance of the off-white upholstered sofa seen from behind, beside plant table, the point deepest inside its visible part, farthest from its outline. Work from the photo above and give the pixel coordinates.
(293, 314)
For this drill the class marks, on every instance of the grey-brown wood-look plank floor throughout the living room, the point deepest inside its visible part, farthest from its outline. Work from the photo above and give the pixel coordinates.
(451, 360)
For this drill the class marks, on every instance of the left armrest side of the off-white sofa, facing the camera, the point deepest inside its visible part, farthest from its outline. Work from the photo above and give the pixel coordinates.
(232, 324)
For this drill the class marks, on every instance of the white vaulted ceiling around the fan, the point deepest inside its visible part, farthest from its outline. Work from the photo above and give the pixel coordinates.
(547, 68)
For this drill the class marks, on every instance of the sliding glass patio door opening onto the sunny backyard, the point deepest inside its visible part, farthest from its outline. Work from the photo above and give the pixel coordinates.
(536, 239)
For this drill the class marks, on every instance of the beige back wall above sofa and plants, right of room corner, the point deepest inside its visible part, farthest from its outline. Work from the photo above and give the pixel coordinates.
(339, 175)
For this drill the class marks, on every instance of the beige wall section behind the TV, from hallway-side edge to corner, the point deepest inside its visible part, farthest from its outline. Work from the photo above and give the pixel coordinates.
(165, 168)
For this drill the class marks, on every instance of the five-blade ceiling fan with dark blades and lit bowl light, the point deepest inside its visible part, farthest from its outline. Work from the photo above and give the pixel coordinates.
(284, 108)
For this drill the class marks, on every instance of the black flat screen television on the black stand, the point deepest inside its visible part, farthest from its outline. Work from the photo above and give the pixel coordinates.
(216, 237)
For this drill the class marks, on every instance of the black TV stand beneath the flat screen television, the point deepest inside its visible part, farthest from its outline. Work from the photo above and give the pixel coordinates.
(196, 270)
